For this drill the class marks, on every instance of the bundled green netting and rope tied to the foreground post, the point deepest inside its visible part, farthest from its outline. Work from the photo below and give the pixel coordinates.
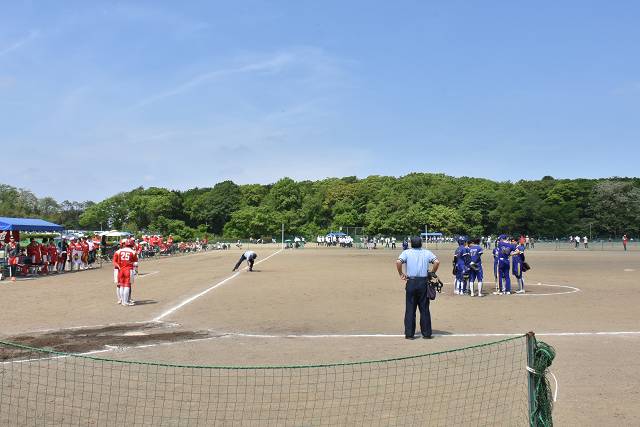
(543, 357)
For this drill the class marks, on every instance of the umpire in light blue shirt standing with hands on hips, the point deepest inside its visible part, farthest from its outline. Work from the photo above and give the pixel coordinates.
(417, 276)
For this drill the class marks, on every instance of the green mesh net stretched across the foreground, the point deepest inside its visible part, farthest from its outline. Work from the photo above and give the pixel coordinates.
(480, 385)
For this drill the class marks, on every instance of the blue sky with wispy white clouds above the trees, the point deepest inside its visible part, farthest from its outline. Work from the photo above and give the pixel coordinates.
(102, 97)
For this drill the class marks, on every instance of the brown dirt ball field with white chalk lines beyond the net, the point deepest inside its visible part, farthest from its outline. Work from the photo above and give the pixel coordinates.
(333, 305)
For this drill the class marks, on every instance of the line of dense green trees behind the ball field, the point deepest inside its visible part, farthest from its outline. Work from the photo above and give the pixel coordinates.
(381, 204)
